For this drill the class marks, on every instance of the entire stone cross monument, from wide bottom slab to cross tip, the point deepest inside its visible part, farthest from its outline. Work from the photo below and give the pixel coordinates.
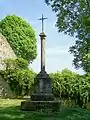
(42, 97)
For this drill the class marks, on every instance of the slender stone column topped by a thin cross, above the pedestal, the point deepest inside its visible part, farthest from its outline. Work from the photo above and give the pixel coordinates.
(42, 36)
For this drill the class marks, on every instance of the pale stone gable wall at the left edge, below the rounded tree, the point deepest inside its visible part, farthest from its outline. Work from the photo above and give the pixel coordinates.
(5, 51)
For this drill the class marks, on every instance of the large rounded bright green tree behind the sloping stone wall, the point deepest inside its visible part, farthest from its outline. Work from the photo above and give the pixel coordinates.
(20, 36)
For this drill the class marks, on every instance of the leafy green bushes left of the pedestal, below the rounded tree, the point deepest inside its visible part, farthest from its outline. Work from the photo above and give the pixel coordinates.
(18, 76)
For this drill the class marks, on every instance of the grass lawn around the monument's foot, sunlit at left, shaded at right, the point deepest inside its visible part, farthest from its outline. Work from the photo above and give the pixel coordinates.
(10, 110)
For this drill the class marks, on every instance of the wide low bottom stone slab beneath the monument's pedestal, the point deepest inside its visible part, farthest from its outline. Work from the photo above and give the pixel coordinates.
(37, 105)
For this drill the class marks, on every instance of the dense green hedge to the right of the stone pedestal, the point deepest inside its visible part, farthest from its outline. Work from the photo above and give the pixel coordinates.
(69, 85)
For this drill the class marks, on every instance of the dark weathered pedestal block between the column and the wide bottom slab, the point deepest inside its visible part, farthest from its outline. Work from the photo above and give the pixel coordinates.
(43, 88)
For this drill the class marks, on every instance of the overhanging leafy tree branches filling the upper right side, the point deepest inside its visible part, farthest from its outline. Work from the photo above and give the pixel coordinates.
(73, 18)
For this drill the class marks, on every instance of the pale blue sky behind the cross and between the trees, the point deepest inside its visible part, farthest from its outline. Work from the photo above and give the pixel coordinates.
(57, 46)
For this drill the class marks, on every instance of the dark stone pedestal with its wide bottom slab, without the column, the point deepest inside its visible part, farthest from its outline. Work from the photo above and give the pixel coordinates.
(42, 96)
